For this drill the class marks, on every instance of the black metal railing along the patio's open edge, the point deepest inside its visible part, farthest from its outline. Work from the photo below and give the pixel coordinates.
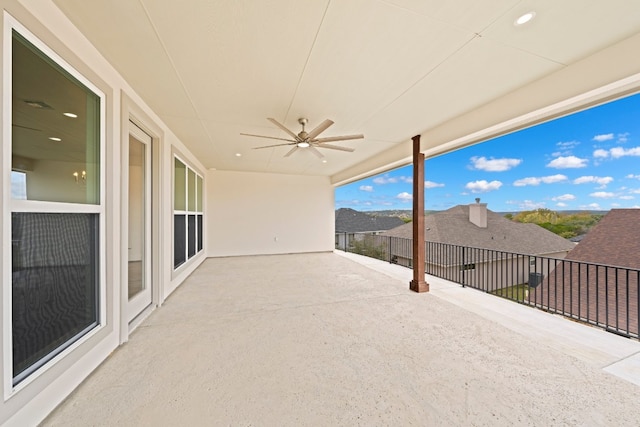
(602, 295)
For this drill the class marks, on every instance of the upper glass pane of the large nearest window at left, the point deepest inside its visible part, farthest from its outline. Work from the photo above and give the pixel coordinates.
(55, 129)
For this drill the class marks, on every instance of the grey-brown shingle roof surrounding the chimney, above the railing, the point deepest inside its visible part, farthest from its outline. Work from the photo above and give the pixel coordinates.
(453, 227)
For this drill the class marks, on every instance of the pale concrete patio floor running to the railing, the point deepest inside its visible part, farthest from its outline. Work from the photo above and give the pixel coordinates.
(337, 339)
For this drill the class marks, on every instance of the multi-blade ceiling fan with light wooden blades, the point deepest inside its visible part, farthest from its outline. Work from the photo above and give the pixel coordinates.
(307, 140)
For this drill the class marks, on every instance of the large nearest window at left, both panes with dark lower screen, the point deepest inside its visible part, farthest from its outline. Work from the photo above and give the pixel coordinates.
(55, 219)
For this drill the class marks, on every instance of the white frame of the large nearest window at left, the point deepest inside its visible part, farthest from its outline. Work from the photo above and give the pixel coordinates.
(11, 205)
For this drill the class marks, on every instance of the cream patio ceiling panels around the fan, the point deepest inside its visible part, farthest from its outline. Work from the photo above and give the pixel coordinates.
(389, 69)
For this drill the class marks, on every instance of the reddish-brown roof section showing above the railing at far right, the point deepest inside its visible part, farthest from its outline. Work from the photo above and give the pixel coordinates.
(615, 240)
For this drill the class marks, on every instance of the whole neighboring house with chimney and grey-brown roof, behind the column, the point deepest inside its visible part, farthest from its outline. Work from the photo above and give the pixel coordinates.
(480, 244)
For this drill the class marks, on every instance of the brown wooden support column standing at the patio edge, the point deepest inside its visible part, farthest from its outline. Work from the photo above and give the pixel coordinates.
(418, 284)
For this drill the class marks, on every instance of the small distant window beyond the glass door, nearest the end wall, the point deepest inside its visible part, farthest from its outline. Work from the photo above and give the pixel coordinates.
(187, 213)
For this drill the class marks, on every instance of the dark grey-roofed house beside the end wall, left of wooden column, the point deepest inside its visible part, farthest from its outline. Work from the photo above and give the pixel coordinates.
(352, 225)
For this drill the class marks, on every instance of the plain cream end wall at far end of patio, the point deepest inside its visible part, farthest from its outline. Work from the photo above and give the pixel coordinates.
(251, 214)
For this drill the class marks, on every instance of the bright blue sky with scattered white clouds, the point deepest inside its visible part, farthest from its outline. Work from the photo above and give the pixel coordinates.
(586, 161)
